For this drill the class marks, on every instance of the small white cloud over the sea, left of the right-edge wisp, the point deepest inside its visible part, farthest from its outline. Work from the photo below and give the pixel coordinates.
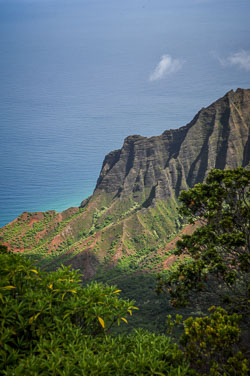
(166, 66)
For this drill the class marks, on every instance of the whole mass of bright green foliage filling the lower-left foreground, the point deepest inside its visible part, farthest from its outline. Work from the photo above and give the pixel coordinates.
(51, 325)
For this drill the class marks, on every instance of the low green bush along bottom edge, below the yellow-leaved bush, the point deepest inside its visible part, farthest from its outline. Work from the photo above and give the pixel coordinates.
(68, 353)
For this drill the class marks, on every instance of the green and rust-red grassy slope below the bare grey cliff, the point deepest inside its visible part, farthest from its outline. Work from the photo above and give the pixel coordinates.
(105, 231)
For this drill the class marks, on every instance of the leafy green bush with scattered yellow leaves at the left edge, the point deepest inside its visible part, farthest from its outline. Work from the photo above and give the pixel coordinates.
(35, 303)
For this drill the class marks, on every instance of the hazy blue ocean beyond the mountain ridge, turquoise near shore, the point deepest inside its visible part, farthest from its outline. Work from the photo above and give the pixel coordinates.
(74, 82)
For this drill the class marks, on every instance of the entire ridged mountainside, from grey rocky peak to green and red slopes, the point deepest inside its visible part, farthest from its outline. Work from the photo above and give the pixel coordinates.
(132, 214)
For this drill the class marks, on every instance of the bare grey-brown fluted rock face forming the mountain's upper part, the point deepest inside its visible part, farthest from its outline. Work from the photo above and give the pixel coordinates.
(158, 167)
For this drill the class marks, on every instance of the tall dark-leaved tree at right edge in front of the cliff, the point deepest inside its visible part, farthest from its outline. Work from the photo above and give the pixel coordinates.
(219, 250)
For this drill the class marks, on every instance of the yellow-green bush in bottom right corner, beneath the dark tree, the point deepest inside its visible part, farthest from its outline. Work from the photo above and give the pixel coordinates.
(210, 343)
